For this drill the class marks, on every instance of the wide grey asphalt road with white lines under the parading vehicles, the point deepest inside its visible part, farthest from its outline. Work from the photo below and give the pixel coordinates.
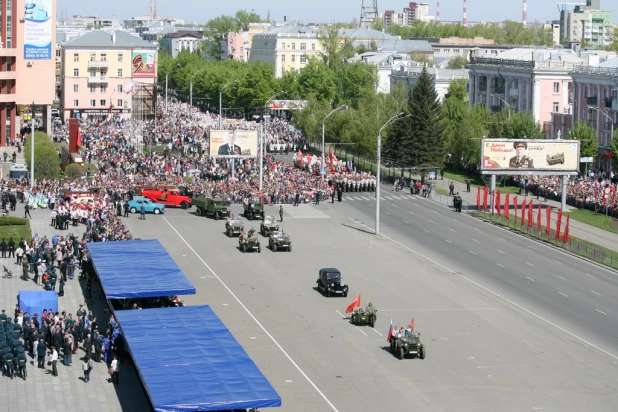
(495, 339)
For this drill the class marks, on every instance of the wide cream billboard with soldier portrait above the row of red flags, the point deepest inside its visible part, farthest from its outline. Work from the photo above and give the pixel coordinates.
(507, 156)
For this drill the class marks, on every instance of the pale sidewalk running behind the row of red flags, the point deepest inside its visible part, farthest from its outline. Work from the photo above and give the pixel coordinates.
(577, 229)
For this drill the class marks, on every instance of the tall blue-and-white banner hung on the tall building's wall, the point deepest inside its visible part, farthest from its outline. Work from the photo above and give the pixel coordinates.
(38, 30)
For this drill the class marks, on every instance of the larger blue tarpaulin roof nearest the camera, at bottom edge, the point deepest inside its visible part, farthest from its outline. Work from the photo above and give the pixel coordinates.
(189, 361)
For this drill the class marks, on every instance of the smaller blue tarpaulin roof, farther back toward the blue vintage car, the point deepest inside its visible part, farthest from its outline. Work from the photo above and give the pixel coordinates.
(138, 269)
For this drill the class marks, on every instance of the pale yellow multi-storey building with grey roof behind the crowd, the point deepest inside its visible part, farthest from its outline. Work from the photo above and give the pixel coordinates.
(106, 72)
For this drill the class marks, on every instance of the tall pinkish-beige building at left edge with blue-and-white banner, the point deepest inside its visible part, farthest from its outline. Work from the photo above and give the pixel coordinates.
(27, 56)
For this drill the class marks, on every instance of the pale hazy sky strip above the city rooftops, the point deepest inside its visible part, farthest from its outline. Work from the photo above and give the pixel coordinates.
(319, 10)
